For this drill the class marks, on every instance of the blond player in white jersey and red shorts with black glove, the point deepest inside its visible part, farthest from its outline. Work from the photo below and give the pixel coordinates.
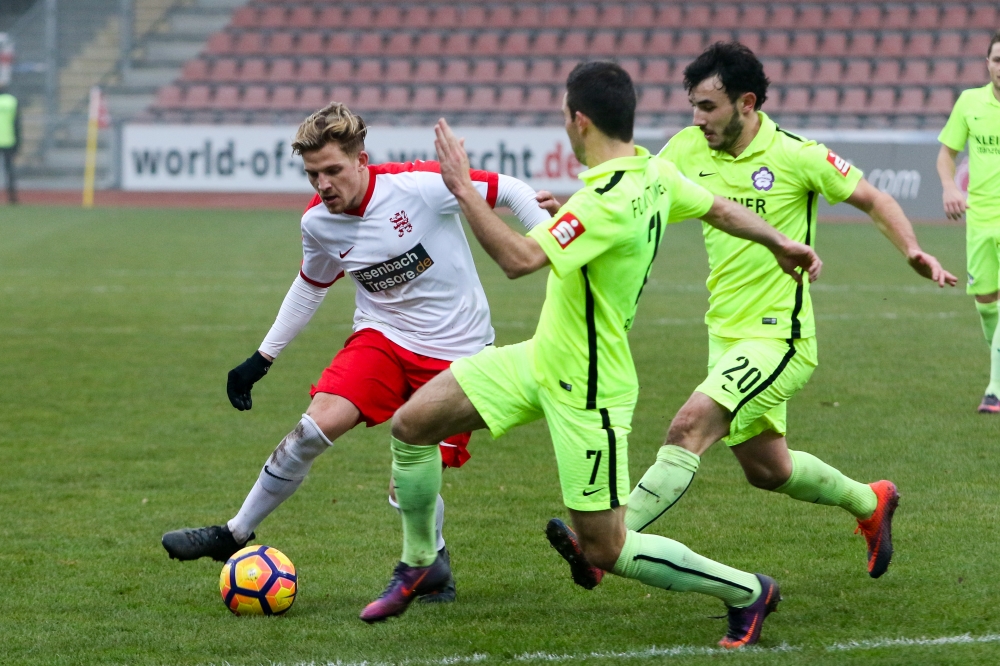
(395, 230)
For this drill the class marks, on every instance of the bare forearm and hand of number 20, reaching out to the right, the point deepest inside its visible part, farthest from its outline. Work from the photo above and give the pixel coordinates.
(892, 222)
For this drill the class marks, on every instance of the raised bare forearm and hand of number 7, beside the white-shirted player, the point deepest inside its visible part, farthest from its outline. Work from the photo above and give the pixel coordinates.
(517, 255)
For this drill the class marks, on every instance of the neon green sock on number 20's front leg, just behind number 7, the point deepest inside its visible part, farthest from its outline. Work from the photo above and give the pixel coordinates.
(661, 486)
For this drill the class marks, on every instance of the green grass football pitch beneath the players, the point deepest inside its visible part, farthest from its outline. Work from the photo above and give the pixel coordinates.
(118, 328)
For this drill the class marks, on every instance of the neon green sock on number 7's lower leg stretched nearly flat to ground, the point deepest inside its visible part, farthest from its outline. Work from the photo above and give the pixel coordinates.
(667, 564)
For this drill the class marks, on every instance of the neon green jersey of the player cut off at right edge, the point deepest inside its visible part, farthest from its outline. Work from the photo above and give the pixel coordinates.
(976, 119)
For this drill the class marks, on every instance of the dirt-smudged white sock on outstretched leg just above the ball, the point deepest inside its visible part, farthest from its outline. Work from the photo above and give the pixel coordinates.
(281, 475)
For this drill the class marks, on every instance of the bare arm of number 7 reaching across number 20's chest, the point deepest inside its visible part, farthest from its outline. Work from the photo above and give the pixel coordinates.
(737, 220)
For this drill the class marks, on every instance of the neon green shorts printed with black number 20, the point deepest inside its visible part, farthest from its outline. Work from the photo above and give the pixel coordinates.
(754, 378)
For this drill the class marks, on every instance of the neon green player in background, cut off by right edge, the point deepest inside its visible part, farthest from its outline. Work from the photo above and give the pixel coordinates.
(976, 119)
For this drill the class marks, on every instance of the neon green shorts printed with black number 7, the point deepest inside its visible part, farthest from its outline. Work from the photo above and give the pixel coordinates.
(591, 444)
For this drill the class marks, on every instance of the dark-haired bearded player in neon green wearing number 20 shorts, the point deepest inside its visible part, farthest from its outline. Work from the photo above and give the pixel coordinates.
(762, 345)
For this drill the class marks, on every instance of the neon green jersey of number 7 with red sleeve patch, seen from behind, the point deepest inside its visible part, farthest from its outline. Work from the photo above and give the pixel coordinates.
(601, 245)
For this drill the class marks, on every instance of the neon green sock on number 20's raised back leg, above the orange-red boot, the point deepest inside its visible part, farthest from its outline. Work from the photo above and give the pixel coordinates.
(812, 480)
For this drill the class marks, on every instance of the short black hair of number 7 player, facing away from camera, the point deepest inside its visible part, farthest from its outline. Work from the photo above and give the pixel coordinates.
(603, 92)
